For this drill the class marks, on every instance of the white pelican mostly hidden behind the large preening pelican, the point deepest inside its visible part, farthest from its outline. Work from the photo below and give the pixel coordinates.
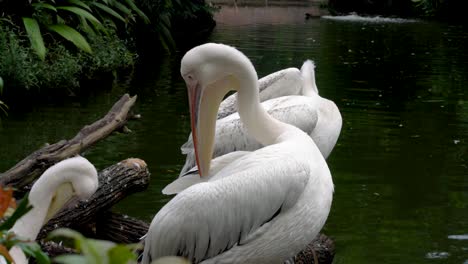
(315, 115)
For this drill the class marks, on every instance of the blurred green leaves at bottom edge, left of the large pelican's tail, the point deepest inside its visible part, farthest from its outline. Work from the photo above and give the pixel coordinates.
(95, 251)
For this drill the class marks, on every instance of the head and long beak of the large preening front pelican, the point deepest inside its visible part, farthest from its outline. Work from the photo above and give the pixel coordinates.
(210, 71)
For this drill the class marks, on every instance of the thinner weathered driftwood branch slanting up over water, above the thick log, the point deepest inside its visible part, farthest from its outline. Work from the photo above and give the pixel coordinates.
(27, 170)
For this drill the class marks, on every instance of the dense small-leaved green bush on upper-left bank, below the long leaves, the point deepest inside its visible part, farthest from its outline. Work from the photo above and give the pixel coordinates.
(21, 69)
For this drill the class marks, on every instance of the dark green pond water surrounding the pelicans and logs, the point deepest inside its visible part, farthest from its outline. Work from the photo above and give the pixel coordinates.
(400, 165)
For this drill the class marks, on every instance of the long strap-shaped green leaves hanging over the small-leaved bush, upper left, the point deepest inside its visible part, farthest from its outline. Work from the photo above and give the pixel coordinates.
(69, 17)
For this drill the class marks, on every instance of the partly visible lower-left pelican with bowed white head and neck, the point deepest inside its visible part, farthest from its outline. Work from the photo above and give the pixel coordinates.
(57, 185)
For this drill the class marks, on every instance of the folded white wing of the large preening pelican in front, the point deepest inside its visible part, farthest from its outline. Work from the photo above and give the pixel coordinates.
(228, 211)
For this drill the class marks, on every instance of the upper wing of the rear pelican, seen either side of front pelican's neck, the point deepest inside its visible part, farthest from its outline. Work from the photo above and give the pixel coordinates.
(280, 83)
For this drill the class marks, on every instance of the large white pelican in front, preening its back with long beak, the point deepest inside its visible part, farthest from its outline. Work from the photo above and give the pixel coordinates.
(263, 207)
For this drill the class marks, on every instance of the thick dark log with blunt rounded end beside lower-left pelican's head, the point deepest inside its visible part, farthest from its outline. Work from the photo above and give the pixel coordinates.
(115, 183)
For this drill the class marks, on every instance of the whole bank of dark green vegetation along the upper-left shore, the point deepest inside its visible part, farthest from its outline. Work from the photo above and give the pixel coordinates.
(50, 47)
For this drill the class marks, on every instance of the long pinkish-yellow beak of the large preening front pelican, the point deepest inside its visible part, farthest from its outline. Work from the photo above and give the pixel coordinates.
(204, 104)
